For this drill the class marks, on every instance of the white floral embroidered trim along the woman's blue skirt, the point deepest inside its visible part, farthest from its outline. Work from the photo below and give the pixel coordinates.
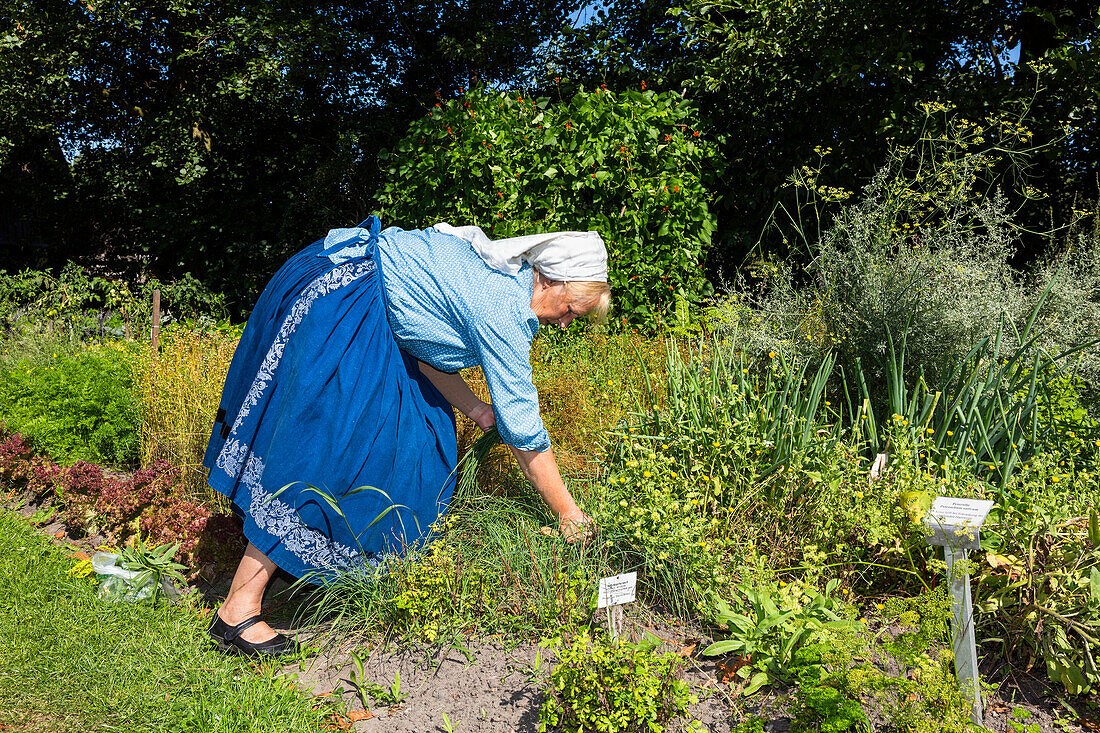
(274, 517)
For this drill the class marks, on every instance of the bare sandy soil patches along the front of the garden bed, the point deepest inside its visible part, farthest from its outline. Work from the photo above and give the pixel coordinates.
(486, 685)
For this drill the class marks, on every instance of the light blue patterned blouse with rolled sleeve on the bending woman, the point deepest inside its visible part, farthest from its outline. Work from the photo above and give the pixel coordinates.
(452, 311)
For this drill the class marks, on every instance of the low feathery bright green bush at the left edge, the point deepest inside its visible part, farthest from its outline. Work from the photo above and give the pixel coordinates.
(74, 407)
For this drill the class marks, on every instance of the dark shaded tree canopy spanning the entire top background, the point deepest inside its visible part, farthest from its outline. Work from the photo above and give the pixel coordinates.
(189, 136)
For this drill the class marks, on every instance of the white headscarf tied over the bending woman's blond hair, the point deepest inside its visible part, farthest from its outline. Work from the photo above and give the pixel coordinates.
(560, 256)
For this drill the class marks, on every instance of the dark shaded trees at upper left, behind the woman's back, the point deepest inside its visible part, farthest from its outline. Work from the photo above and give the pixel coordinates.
(214, 138)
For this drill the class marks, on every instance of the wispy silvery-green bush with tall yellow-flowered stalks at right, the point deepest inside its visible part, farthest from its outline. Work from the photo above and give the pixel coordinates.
(925, 253)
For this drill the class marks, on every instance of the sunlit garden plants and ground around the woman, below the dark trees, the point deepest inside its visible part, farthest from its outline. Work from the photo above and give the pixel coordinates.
(761, 442)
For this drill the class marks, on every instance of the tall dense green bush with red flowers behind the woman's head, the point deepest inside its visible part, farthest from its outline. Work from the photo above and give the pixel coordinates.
(630, 166)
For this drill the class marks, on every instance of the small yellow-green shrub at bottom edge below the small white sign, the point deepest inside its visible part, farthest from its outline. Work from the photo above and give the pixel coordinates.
(613, 687)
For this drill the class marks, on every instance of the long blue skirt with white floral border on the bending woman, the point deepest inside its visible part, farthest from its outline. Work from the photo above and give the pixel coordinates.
(321, 406)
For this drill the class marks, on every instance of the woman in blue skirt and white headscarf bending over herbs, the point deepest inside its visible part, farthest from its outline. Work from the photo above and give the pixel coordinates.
(344, 384)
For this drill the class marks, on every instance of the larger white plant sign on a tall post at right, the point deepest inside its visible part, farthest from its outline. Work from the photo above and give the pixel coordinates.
(954, 524)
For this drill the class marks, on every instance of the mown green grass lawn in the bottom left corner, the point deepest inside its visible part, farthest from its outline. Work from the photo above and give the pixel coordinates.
(70, 662)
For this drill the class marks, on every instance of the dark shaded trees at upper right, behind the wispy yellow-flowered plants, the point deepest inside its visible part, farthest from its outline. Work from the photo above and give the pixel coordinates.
(777, 79)
